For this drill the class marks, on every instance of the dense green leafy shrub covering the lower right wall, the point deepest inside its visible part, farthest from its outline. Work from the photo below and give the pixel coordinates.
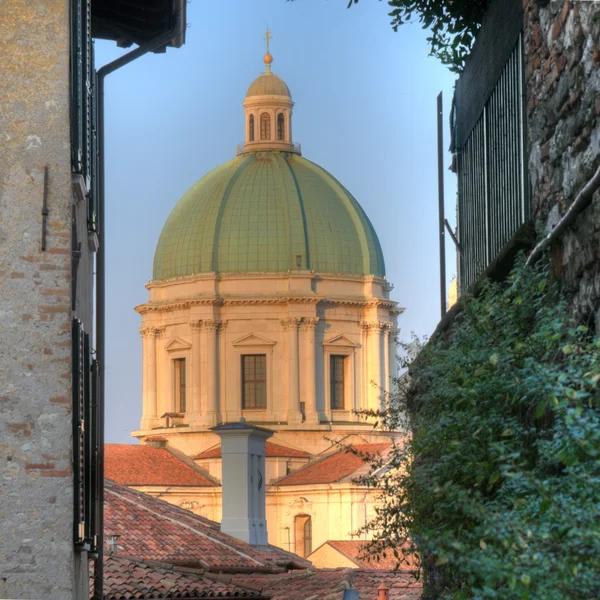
(499, 485)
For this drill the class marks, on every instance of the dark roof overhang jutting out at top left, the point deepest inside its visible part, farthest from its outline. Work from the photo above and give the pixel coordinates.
(130, 22)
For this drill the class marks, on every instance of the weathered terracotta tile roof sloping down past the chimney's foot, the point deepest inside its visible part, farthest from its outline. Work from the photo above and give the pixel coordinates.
(156, 530)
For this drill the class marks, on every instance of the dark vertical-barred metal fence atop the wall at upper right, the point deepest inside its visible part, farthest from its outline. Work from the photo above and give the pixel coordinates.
(493, 198)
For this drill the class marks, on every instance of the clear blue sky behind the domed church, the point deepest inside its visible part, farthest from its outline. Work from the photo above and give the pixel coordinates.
(365, 110)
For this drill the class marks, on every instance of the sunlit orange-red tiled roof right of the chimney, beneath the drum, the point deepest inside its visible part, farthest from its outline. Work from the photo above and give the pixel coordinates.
(335, 467)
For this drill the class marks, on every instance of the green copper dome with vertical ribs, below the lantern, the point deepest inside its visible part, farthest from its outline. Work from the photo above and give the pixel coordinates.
(267, 212)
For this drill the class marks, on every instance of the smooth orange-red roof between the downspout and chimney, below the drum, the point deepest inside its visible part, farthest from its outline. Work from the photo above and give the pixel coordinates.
(142, 465)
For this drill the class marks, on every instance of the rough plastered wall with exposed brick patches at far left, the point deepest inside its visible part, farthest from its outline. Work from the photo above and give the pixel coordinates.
(37, 558)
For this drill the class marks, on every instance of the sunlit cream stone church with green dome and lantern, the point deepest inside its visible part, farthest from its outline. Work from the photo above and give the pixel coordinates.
(269, 304)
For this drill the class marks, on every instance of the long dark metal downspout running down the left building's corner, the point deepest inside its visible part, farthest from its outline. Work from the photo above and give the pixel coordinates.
(107, 69)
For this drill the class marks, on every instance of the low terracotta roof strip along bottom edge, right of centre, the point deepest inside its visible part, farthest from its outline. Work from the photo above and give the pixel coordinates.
(330, 584)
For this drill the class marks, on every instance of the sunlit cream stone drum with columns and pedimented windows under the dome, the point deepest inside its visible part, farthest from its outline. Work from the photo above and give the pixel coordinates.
(211, 321)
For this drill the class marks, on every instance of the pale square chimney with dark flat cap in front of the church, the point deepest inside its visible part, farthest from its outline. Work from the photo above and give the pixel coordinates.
(243, 481)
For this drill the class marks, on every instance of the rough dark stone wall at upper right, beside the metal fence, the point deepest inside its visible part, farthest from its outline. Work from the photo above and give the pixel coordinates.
(562, 58)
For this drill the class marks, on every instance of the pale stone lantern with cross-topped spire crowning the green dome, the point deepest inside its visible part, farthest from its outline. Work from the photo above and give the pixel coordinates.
(268, 111)
